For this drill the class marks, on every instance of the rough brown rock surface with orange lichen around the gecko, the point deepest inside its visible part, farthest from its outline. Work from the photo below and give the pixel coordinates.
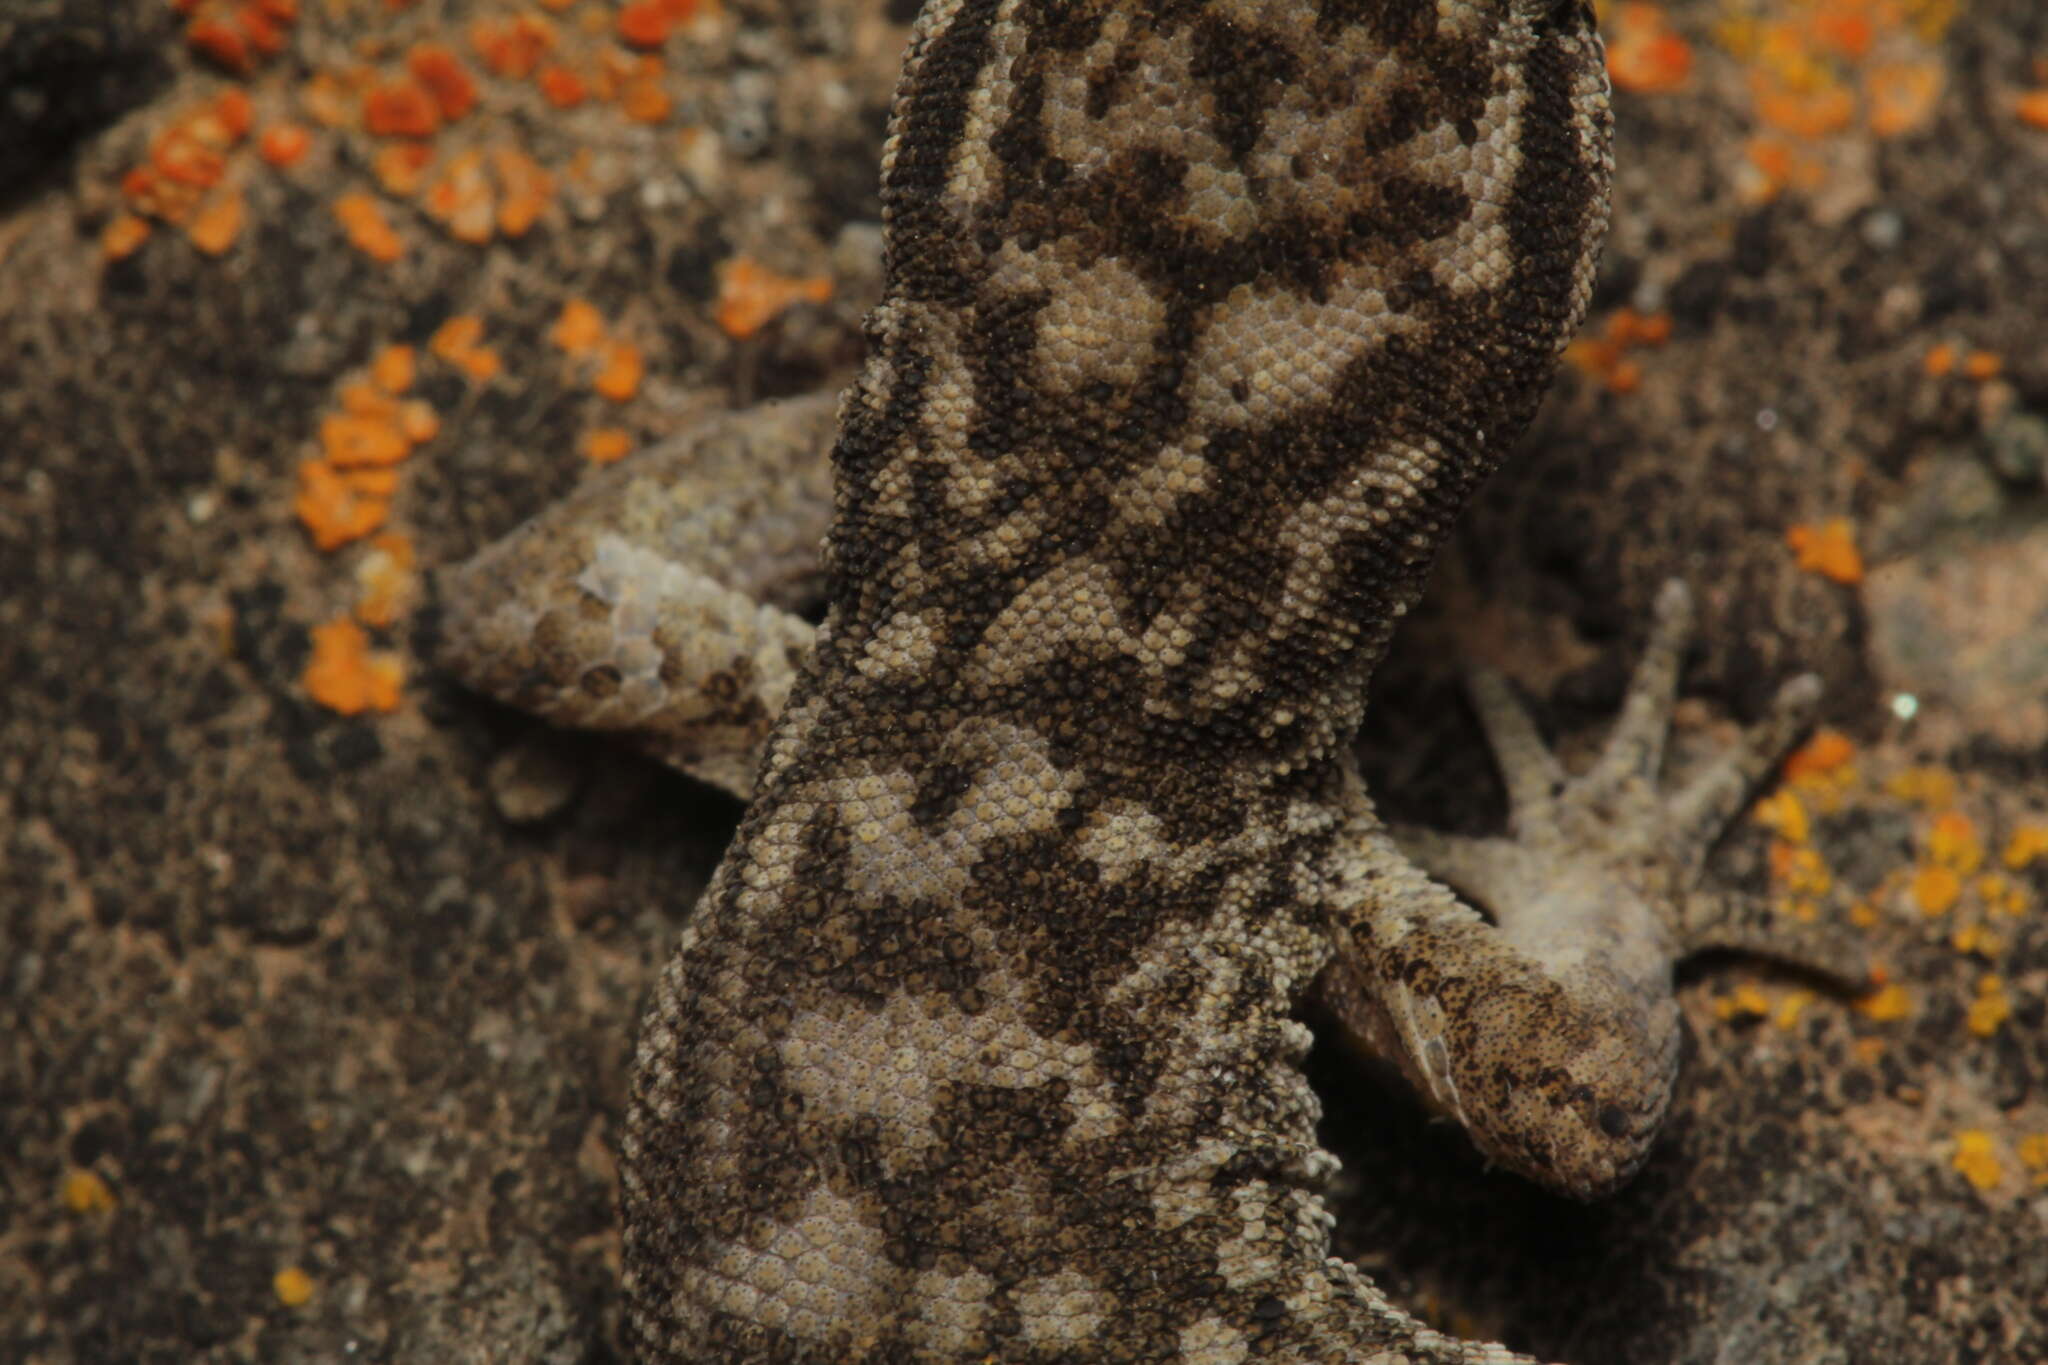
(288, 994)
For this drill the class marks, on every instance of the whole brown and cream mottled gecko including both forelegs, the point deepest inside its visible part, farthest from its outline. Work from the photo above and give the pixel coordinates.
(1201, 322)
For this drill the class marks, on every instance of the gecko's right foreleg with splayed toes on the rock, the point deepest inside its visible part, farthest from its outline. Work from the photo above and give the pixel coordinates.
(1551, 1034)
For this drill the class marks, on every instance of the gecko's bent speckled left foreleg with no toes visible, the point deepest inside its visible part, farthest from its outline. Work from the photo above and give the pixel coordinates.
(654, 601)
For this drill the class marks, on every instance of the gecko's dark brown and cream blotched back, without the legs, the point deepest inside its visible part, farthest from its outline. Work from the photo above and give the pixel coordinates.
(1203, 322)
